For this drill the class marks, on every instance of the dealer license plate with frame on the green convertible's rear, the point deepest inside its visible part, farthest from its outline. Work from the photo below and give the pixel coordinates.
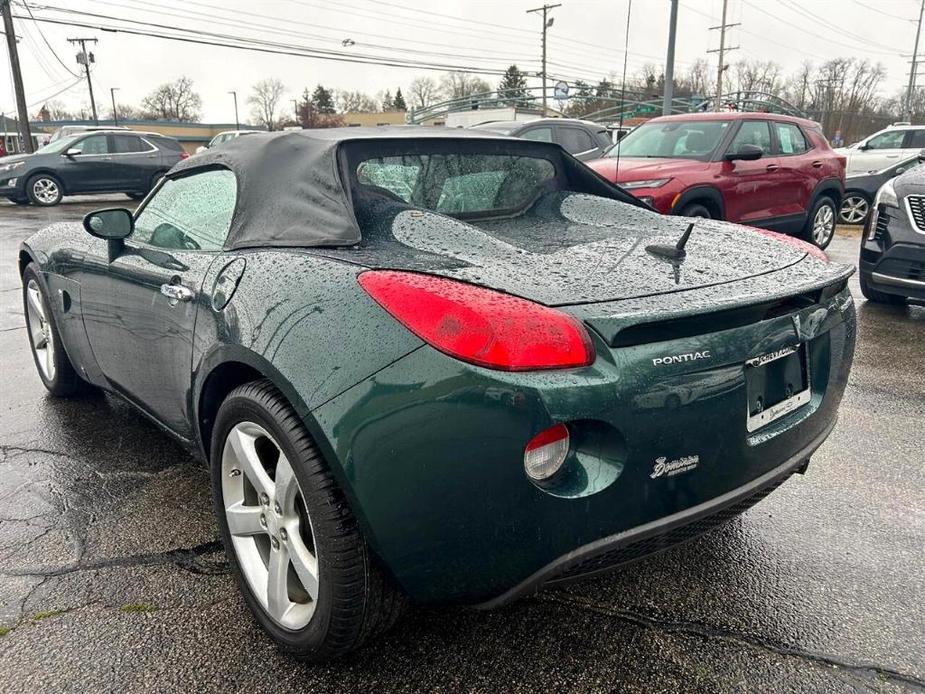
(777, 384)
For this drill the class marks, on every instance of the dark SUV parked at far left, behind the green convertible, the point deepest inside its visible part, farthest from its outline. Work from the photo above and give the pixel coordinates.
(89, 163)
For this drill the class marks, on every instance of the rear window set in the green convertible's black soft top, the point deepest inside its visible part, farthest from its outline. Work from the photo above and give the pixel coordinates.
(463, 184)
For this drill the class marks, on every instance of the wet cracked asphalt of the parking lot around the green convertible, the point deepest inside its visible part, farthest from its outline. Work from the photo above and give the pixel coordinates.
(112, 579)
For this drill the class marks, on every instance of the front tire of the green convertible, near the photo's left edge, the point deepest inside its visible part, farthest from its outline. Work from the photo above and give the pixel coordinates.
(64, 381)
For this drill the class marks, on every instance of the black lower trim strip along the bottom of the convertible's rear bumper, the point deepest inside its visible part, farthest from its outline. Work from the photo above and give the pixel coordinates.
(626, 547)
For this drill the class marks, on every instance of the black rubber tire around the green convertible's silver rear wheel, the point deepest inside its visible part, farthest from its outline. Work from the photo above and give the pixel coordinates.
(356, 600)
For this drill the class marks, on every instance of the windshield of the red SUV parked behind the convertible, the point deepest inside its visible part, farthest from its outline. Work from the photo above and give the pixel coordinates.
(672, 140)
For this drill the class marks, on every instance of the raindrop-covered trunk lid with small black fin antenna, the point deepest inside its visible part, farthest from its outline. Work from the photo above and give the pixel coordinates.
(574, 249)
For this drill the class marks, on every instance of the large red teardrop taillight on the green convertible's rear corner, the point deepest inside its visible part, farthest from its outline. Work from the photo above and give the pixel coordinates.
(479, 325)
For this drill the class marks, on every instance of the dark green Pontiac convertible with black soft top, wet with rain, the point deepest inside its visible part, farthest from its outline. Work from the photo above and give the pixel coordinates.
(441, 366)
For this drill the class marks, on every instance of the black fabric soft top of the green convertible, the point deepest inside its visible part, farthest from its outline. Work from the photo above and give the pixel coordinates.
(290, 192)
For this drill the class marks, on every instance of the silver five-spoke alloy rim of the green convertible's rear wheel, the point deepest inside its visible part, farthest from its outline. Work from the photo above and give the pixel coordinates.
(270, 530)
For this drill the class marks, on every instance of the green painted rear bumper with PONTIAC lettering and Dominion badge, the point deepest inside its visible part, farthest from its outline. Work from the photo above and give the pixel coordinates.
(429, 452)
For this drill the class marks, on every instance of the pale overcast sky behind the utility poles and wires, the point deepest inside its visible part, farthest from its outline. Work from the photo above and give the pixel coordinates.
(586, 40)
